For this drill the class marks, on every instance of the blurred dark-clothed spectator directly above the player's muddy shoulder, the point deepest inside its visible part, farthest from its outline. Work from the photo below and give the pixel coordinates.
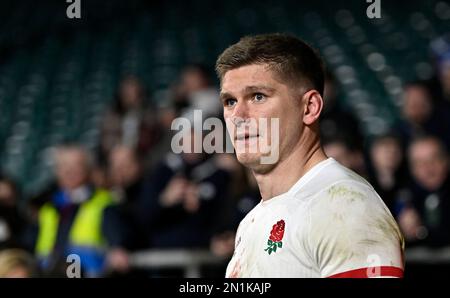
(387, 172)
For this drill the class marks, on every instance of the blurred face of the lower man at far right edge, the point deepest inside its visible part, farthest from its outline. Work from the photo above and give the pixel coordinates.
(428, 165)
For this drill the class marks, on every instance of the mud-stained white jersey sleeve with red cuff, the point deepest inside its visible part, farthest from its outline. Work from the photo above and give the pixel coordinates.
(352, 234)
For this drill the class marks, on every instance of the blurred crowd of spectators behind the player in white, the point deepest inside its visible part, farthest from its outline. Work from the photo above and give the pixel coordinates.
(133, 193)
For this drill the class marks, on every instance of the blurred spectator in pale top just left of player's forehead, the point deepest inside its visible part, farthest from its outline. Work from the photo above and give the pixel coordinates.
(195, 91)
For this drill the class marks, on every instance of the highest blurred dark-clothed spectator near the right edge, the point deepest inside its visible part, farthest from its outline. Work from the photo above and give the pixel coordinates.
(420, 117)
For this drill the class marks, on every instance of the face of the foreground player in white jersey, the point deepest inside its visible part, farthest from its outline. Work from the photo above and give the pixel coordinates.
(251, 93)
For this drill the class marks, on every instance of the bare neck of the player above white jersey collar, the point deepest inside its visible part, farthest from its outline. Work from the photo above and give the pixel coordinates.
(289, 171)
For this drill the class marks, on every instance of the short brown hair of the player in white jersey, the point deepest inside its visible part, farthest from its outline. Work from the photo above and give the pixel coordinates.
(290, 57)
